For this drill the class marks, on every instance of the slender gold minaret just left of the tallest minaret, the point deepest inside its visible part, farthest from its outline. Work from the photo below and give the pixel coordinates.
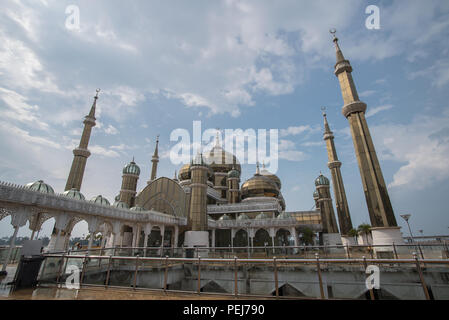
(334, 165)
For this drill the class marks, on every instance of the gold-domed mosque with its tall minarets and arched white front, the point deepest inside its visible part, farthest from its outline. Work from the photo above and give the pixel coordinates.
(221, 211)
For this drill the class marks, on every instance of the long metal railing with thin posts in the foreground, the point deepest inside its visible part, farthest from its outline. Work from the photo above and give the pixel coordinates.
(123, 272)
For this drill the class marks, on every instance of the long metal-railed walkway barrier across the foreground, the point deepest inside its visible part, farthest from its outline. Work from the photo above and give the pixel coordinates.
(315, 278)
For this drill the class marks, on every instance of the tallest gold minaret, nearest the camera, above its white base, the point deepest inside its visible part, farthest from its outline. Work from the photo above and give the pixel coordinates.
(377, 199)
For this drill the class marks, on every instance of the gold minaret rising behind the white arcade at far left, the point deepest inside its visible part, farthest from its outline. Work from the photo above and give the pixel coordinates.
(82, 153)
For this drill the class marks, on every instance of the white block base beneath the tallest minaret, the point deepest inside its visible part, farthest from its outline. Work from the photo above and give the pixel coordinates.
(386, 236)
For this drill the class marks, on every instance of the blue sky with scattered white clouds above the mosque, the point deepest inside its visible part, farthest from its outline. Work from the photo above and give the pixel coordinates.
(230, 64)
